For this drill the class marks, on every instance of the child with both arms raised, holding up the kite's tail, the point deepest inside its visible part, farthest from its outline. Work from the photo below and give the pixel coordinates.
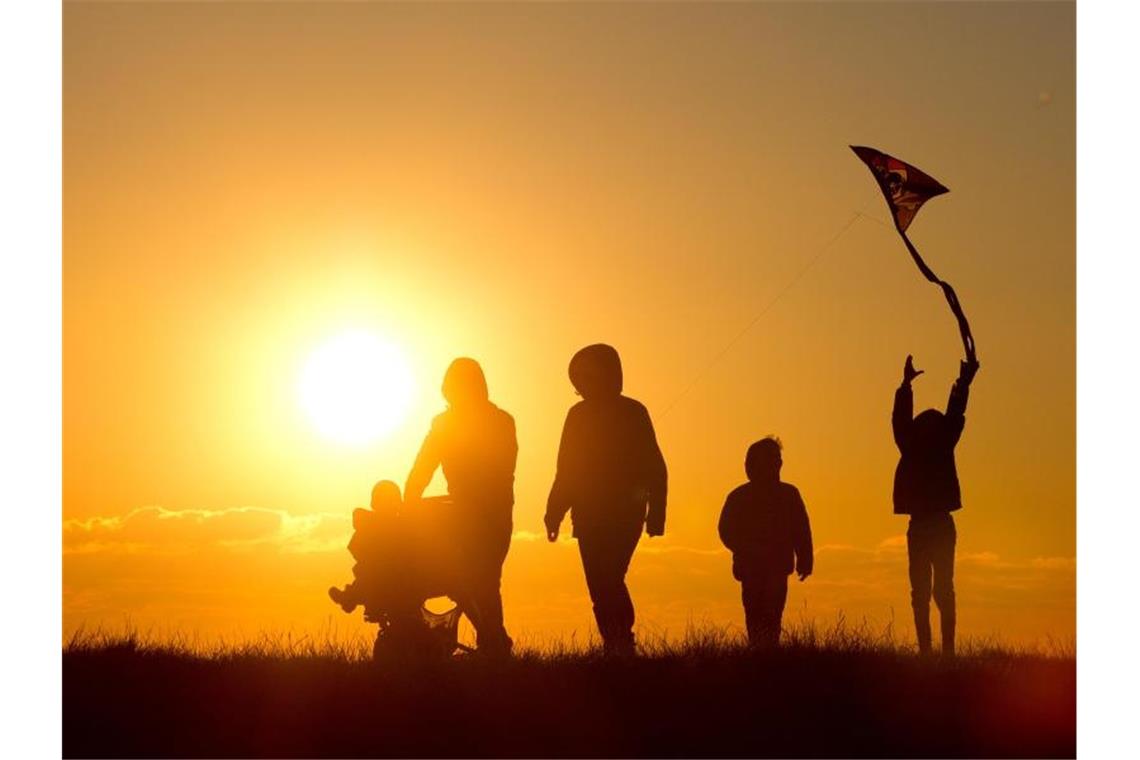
(926, 488)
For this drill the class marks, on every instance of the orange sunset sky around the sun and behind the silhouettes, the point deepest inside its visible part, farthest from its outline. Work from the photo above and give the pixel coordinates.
(246, 183)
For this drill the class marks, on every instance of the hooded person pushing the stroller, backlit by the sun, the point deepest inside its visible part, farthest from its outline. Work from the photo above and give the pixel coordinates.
(475, 443)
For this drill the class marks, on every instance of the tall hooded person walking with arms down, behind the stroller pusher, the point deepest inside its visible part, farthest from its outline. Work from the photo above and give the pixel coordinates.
(609, 470)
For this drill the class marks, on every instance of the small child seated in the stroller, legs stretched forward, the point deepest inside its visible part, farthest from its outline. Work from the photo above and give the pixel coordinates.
(374, 545)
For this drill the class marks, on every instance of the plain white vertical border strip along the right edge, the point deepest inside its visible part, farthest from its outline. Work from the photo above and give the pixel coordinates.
(1108, 378)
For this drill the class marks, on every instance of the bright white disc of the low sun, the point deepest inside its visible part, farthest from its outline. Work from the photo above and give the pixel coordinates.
(356, 388)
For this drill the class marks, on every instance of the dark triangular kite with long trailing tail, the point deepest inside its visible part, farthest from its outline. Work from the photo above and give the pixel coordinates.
(907, 189)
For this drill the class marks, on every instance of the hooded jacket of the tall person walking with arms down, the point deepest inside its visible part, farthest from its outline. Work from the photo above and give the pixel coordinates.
(610, 468)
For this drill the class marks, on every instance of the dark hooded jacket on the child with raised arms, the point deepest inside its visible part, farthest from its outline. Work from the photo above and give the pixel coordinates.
(926, 479)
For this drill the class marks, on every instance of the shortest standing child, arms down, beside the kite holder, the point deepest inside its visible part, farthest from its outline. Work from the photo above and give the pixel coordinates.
(764, 525)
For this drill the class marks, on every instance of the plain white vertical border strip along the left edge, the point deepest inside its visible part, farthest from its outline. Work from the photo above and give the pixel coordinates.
(31, 380)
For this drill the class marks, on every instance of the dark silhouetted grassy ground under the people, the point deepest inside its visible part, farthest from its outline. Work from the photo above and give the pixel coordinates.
(841, 692)
